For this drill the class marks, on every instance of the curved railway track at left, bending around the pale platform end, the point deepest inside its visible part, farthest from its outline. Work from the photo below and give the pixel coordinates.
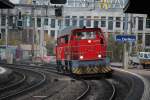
(31, 79)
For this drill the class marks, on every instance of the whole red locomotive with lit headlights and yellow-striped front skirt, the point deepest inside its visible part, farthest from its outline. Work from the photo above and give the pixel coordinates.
(82, 51)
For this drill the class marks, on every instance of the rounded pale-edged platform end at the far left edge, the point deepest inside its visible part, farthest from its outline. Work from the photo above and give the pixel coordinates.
(5, 75)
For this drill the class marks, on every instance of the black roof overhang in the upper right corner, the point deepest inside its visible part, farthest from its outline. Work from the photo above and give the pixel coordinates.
(137, 6)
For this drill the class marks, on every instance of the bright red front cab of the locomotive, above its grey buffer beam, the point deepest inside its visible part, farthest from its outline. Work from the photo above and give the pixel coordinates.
(89, 44)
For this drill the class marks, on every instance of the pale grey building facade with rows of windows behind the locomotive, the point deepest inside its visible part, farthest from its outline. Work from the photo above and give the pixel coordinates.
(37, 21)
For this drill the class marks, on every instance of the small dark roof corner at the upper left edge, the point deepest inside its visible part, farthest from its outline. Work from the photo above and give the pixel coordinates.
(5, 4)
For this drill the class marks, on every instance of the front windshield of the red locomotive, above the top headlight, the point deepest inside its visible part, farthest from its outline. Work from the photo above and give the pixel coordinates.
(86, 35)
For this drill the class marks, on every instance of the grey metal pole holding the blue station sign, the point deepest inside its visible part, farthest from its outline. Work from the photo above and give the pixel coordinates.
(125, 63)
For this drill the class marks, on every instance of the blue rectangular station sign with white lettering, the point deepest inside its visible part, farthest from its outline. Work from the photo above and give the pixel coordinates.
(125, 38)
